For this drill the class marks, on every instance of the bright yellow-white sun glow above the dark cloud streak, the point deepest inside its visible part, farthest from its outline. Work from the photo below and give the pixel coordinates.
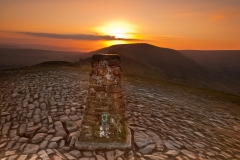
(120, 30)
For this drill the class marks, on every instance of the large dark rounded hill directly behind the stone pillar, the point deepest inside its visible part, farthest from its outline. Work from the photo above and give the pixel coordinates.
(168, 64)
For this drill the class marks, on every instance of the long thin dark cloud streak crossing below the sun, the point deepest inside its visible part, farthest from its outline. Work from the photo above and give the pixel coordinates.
(75, 36)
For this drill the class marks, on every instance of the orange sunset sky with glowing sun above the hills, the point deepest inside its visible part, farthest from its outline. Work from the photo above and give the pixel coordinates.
(87, 25)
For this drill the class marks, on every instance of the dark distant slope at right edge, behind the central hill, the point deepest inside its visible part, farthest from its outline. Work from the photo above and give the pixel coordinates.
(225, 63)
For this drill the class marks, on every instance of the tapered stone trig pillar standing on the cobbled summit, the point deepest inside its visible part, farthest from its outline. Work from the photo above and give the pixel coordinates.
(104, 125)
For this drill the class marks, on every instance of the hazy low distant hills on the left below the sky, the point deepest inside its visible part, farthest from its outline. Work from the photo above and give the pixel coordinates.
(12, 57)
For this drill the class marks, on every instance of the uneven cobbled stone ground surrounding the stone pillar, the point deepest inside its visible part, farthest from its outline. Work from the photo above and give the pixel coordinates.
(42, 110)
